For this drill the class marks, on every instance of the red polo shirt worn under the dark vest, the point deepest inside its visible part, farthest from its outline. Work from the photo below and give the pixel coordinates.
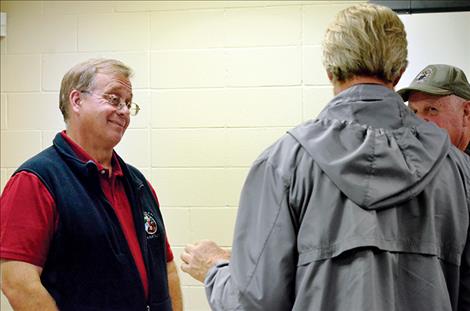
(29, 218)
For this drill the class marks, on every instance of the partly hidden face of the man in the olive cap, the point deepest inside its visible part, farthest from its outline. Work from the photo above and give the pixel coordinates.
(449, 112)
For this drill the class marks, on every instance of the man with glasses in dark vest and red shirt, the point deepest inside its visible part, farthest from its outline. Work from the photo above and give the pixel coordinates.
(81, 229)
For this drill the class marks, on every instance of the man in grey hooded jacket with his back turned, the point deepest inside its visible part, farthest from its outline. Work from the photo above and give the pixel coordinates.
(365, 207)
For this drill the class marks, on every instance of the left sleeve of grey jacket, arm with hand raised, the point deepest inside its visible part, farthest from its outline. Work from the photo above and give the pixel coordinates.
(261, 273)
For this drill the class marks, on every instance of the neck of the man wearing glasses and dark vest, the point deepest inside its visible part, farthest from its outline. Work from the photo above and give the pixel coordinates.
(98, 152)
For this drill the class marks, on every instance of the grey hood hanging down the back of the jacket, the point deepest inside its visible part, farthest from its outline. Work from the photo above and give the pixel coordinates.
(375, 150)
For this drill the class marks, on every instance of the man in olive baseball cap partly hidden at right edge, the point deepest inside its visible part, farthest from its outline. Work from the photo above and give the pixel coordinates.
(441, 94)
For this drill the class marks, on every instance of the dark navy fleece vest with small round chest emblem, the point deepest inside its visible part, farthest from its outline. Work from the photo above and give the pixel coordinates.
(89, 264)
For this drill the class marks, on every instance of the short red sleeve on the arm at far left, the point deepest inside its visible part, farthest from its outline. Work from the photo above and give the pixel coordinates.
(28, 219)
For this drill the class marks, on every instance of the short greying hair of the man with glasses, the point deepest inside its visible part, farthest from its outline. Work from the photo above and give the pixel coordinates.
(81, 77)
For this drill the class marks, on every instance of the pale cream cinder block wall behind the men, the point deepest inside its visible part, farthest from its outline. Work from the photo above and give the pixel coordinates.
(218, 82)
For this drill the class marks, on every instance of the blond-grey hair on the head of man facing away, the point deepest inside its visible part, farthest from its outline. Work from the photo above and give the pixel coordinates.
(365, 40)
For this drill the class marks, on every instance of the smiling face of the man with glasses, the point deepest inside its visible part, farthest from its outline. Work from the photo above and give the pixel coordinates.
(101, 123)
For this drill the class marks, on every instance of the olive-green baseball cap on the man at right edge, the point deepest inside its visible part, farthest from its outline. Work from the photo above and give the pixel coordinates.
(439, 80)
